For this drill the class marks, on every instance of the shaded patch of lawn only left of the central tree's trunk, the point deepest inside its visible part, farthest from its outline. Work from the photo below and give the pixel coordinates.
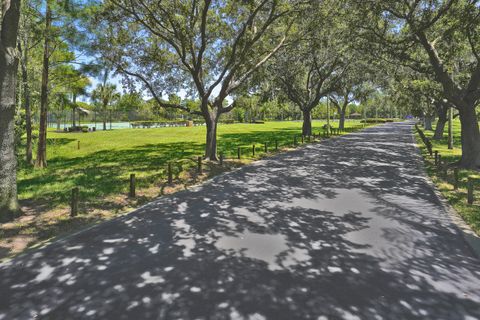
(105, 172)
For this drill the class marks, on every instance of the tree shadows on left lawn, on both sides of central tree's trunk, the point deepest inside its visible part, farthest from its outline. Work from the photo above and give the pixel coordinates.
(105, 172)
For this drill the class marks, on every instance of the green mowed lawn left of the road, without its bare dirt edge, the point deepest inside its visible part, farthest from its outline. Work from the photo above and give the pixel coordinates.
(102, 165)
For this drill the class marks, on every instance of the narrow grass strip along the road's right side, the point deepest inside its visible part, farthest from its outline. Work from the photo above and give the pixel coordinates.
(457, 198)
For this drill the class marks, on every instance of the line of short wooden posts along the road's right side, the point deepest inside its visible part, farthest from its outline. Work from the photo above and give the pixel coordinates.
(443, 167)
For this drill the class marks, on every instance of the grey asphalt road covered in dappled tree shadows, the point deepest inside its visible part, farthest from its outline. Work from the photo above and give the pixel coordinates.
(345, 229)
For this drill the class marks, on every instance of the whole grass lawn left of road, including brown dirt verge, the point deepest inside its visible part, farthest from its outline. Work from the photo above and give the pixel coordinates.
(102, 165)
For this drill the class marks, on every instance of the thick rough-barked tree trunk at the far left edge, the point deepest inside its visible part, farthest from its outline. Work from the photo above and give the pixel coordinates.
(8, 72)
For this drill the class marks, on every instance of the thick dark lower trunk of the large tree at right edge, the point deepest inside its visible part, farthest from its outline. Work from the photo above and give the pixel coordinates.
(470, 138)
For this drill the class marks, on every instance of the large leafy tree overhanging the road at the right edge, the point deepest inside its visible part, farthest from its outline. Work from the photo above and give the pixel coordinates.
(439, 39)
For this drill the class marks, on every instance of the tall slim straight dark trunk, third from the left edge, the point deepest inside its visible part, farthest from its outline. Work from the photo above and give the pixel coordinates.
(41, 160)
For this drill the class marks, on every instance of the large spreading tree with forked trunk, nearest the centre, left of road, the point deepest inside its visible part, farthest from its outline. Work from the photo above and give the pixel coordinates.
(206, 48)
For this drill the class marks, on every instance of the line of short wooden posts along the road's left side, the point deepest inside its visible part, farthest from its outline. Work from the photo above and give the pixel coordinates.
(75, 197)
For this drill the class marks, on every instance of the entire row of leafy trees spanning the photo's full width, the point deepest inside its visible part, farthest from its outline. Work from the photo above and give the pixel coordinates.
(221, 54)
